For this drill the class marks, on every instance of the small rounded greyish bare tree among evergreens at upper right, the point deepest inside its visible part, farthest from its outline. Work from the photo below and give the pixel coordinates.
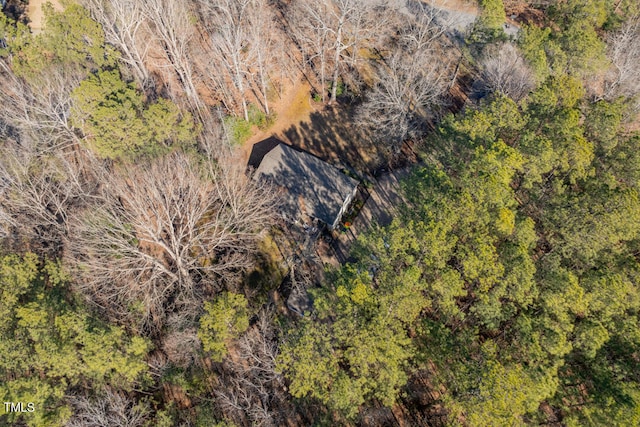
(504, 70)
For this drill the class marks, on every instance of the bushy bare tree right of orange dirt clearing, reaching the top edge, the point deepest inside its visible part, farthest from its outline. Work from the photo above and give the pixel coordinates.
(411, 83)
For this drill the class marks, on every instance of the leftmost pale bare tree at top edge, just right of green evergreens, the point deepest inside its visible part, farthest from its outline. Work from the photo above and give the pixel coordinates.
(123, 24)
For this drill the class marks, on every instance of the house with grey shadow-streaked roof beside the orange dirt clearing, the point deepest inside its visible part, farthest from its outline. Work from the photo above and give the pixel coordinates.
(311, 188)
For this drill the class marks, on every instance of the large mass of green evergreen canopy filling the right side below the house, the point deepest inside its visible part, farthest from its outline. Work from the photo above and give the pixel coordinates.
(519, 235)
